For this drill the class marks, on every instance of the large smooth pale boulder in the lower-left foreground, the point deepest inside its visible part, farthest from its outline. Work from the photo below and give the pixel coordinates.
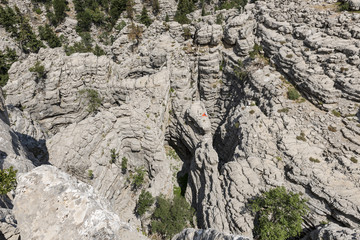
(50, 204)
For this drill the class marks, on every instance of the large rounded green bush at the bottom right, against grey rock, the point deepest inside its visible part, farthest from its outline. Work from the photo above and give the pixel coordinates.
(278, 214)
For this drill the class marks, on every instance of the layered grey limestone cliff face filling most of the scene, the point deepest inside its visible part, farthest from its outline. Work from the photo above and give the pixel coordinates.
(210, 92)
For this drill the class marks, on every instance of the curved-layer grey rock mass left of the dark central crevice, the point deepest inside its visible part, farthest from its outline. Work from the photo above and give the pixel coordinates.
(134, 101)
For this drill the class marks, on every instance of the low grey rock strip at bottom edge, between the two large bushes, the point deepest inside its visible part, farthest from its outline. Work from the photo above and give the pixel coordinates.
(208, 234)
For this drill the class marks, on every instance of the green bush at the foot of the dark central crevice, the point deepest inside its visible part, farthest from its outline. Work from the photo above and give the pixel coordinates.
(171, 216)
